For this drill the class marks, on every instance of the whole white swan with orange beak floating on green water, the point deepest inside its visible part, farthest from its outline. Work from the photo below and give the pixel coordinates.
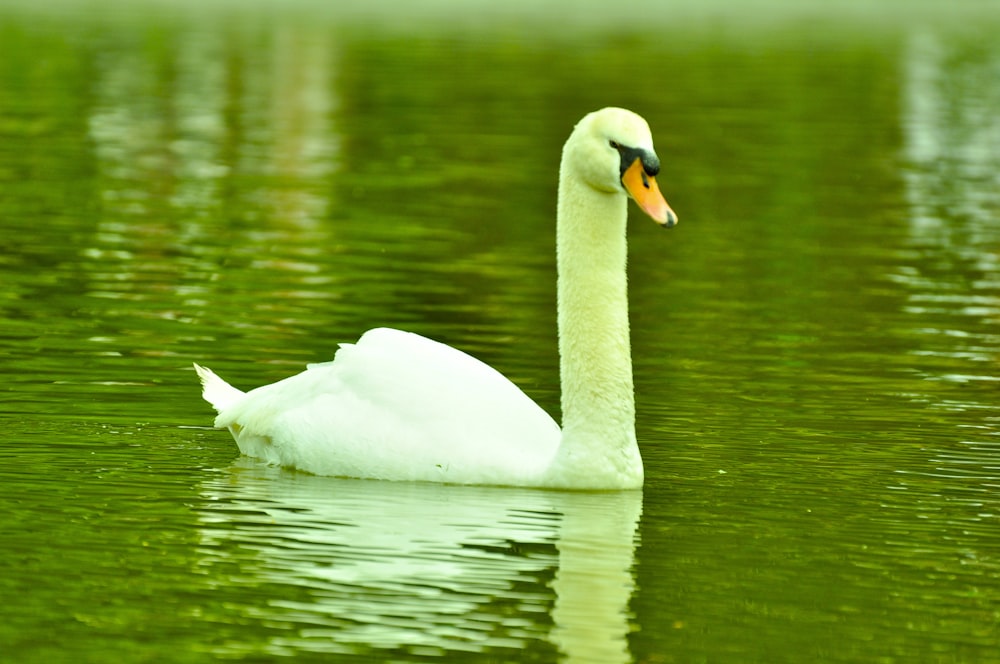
(398, 406)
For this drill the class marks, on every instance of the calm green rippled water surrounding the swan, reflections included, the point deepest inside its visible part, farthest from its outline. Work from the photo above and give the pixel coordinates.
(815, 345)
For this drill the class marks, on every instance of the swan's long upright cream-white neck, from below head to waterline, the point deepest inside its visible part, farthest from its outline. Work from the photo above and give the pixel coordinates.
(598, 402)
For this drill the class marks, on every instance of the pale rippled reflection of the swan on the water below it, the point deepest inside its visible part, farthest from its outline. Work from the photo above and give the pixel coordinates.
(355, 566)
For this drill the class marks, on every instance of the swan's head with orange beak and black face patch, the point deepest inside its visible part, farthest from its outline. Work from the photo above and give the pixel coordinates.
(612, 151)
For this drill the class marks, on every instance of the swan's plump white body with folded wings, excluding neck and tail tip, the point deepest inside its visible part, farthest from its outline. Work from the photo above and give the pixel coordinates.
(396, 405)
